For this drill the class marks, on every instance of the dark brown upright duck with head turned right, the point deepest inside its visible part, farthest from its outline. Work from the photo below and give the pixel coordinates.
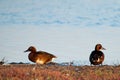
(97, 56)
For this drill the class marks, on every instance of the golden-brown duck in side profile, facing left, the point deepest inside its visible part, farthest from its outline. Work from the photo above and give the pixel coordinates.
(39, 57)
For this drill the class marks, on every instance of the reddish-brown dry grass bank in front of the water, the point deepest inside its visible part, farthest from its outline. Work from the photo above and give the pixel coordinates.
(57, 72)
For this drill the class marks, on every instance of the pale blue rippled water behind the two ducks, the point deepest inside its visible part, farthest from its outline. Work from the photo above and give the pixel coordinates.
(68, 29)
